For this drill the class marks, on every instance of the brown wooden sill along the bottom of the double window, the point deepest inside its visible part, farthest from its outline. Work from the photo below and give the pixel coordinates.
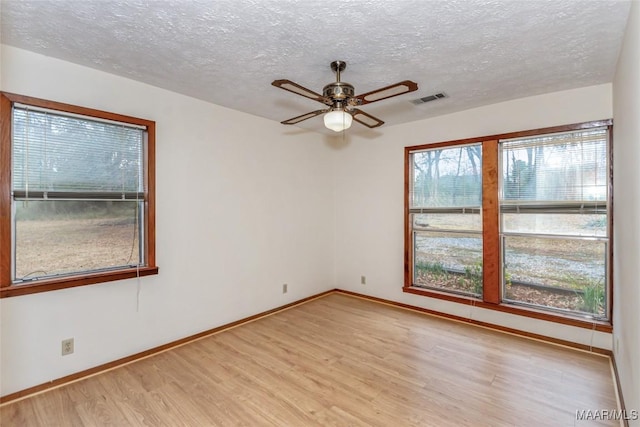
(598, 325)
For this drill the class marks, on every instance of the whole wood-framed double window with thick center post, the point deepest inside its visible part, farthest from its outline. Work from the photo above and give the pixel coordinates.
(518, 222)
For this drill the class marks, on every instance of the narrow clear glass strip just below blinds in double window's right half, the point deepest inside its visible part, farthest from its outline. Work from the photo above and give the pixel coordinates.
(562, 224)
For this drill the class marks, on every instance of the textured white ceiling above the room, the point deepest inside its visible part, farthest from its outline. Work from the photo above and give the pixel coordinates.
(229, 51)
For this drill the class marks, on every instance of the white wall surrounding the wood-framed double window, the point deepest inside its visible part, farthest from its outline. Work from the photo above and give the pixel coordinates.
(369, 186)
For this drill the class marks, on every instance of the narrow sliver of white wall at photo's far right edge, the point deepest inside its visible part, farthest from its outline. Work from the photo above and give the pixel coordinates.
(626, 268)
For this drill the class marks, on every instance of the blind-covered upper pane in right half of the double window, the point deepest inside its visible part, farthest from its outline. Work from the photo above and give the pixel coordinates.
(569, 166)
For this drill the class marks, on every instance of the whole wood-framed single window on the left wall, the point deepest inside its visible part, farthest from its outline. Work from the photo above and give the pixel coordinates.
(77, 198)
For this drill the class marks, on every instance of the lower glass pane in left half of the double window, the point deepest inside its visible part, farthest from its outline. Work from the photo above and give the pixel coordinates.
(448, 261)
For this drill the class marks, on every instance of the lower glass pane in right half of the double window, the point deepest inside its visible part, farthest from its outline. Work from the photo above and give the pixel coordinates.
(563, 274)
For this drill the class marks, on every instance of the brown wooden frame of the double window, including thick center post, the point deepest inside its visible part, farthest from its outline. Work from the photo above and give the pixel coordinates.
(491, 298)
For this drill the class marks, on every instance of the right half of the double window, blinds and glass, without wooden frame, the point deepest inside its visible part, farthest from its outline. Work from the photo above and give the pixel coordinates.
(554, 210)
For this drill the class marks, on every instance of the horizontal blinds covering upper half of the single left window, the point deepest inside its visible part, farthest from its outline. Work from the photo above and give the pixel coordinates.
(67, 156)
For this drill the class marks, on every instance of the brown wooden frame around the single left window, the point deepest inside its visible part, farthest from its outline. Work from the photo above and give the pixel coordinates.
(7, 288)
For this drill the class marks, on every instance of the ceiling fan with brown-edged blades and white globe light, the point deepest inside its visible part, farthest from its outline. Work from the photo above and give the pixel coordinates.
(342, 102)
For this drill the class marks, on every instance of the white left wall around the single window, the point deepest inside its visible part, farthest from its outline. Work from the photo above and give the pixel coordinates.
(243, 205)
